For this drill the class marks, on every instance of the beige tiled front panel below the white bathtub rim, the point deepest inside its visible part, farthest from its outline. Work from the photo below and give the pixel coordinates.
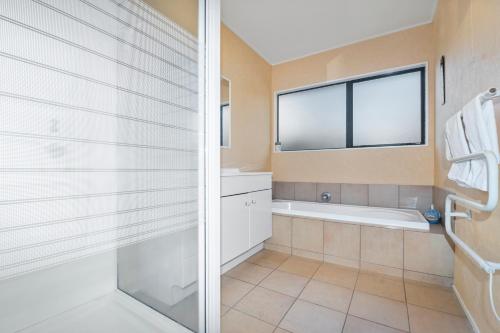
(420, 256)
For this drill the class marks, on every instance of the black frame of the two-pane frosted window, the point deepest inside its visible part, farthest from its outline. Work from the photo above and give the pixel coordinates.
(350, 106)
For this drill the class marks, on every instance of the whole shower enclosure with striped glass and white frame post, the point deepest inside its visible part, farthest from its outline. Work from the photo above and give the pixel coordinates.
(107, 154)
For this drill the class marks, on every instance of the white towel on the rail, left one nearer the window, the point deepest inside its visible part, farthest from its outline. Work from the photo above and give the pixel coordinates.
(457, 146)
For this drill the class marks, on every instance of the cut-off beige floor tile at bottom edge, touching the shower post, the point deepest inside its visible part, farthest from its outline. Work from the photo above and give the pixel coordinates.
(237, 322)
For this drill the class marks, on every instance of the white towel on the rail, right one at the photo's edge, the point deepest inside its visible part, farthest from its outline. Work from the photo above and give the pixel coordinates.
(481, 133)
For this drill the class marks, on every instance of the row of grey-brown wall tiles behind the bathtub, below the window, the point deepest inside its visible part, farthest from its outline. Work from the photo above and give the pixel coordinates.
(377, 195)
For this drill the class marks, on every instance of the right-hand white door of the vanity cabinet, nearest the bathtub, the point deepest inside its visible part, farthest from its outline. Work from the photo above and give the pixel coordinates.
(261, 225)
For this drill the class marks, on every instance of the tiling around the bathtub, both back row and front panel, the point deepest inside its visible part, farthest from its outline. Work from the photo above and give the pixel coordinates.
(422, 256)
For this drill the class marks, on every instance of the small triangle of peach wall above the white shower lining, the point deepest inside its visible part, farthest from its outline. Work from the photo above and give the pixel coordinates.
(182, 12)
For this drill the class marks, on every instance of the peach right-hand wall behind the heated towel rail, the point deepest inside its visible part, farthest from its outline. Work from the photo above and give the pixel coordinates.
(468, 34)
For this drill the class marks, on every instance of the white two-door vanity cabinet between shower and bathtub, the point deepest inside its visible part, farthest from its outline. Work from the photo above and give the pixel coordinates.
(246, 212)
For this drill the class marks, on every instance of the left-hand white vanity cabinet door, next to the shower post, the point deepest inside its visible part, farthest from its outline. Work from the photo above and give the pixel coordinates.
(234, 226)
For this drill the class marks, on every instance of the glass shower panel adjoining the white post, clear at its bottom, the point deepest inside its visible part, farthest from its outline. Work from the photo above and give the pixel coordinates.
(161, 268)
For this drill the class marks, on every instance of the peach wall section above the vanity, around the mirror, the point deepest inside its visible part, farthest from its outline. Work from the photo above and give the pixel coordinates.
(250, 77)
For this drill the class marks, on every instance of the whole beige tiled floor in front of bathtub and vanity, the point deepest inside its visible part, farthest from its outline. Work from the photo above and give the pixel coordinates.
(273, 292)
